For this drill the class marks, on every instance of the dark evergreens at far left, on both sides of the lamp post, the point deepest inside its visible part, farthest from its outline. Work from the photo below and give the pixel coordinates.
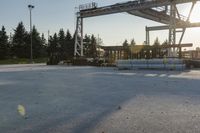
(18, 45)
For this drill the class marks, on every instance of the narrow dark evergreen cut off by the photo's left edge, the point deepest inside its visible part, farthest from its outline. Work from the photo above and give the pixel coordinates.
(4, 45)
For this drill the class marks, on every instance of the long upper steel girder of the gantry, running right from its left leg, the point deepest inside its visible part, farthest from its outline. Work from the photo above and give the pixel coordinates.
(129, 6)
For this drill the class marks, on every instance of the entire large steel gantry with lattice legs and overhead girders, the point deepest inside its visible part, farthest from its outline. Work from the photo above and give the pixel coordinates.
(162, 11)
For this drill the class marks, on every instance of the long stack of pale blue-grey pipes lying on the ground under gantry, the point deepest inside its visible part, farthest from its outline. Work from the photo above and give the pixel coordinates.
(162, 64)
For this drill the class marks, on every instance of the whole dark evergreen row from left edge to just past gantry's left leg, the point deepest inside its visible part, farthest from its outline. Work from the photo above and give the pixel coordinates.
(60, 45)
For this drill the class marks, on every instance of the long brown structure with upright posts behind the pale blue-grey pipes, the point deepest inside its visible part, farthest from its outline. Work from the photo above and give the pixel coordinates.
(112, 53)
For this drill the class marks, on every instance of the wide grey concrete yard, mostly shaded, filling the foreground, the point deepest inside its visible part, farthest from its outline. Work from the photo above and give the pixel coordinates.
(60, 99)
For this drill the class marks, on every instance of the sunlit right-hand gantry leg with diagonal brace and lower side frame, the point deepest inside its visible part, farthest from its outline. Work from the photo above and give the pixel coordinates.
(174, 28)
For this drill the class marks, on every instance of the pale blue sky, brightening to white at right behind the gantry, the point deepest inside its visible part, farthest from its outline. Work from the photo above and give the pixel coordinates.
(113, 29)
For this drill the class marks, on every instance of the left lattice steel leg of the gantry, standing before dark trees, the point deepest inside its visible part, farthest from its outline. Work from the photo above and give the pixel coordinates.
(78, 48)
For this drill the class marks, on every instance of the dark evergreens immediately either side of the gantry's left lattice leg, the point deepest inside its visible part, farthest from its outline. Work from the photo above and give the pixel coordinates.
(61, 47)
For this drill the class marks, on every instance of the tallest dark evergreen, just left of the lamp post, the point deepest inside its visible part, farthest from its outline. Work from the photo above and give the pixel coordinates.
(19, 44)
